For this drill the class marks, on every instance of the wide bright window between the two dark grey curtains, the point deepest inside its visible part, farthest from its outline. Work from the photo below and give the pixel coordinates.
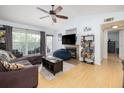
(26, 41)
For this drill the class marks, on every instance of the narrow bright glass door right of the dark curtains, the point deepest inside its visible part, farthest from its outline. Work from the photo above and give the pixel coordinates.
(49, 44)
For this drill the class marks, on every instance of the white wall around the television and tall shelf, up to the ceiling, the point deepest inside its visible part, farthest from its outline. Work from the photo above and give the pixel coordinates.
(93, 21)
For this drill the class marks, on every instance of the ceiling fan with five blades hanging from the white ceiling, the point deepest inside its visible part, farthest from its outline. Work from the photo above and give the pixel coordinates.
(53, 13)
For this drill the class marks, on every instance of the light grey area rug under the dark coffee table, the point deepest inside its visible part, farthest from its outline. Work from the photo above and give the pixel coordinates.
(49, 76)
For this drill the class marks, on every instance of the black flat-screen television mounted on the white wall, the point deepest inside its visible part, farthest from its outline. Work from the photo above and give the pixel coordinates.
(69, 39)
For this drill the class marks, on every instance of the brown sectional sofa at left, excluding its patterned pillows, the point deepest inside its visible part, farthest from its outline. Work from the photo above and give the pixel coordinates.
(26, 77)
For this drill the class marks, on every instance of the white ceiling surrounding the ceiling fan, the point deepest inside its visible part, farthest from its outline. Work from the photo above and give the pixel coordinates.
(28, 14)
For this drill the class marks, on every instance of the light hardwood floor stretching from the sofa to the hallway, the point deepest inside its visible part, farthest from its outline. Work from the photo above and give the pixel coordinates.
(107, 75)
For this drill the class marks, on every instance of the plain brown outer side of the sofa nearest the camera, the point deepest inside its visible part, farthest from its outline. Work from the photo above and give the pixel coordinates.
(25, 78)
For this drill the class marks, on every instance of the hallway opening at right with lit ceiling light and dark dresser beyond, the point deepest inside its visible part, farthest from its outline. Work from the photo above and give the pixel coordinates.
(116, 47)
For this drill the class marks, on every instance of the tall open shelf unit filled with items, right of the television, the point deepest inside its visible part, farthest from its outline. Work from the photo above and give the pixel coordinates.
(87, 48)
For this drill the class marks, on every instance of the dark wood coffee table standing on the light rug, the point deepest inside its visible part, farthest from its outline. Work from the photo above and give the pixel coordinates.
(53, 64)
